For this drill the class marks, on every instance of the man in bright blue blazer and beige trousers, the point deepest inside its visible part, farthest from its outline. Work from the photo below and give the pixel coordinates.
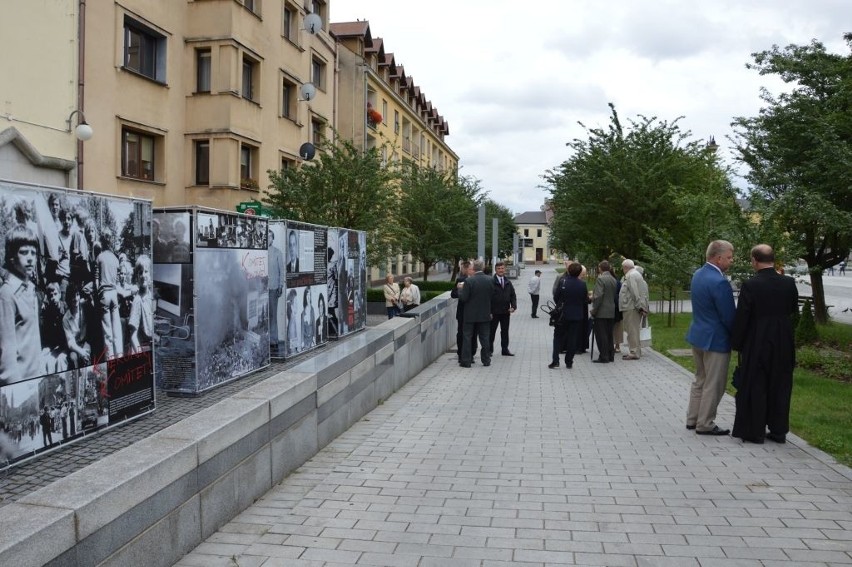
(709, 334)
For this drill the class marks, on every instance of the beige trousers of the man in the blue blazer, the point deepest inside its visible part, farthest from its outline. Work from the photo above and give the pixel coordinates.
(711, 374)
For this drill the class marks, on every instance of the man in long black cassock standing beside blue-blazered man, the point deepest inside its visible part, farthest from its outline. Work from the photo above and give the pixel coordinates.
(763, 335)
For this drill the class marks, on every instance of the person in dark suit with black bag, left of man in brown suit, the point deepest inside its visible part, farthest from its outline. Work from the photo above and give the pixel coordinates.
(574, 298)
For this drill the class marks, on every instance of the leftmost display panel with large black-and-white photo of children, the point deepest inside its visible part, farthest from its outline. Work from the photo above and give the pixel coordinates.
(72, 263)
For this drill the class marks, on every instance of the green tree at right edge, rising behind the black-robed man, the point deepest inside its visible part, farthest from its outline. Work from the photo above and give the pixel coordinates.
(798, 150)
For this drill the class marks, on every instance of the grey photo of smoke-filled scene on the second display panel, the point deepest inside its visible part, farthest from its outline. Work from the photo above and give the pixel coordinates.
(232, 287)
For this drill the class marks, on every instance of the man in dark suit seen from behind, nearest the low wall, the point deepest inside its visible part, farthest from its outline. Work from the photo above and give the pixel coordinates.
(476, 295)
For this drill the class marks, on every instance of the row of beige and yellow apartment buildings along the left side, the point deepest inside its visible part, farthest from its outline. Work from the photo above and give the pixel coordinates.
(193, 101)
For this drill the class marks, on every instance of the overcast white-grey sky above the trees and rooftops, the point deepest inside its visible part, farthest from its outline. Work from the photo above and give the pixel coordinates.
(513, 79)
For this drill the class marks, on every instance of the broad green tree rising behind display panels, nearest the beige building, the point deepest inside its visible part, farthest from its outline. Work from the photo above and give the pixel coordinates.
(343, 187)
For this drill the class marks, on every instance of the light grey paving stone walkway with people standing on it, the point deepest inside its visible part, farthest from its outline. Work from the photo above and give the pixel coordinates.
(517, 464)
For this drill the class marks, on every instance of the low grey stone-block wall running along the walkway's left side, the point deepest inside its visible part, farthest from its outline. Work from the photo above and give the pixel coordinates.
(153, 502)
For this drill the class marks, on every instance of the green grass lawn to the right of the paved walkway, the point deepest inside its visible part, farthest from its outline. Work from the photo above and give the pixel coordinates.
(821, 409)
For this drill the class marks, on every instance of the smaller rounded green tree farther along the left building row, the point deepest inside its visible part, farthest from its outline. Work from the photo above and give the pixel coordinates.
(436, 214)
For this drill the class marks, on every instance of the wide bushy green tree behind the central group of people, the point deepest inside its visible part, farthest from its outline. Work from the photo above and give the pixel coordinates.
(622, 181)
